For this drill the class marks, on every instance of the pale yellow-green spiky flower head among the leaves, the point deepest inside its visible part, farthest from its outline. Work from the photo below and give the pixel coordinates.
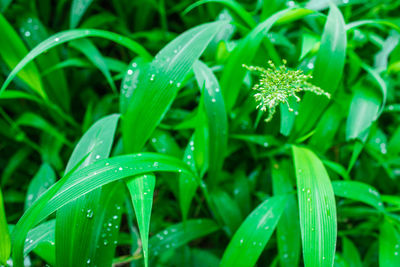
(277, 84)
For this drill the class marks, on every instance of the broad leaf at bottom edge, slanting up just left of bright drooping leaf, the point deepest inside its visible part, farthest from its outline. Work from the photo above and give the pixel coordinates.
(250, 239)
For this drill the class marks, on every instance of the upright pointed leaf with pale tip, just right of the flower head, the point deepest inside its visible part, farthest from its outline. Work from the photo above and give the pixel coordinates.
(328, 70)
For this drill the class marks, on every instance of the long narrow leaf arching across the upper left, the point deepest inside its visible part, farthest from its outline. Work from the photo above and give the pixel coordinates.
(70, 35)
